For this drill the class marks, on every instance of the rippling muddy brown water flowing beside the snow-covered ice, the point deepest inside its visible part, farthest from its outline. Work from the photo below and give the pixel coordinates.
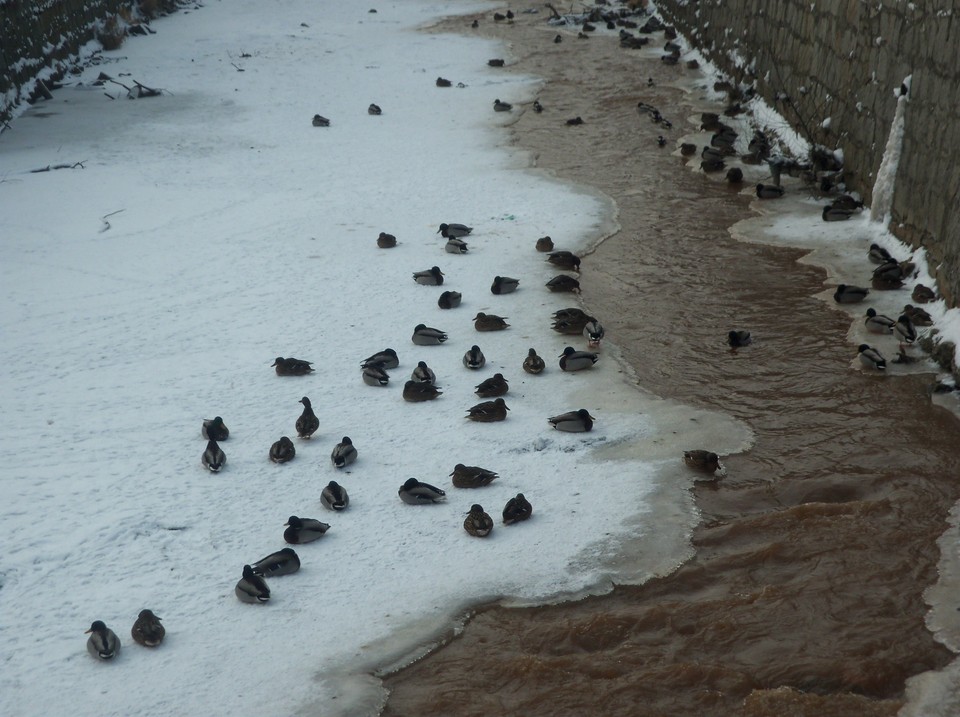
(804, 596)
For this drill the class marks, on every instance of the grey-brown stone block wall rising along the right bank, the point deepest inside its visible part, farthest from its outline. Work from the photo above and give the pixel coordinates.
(845, 60)
